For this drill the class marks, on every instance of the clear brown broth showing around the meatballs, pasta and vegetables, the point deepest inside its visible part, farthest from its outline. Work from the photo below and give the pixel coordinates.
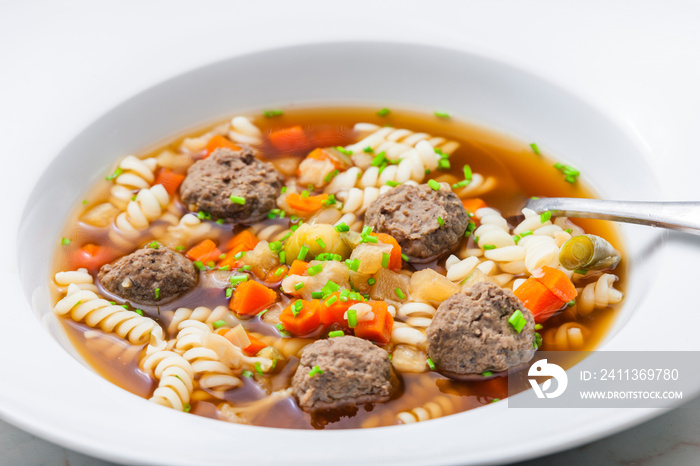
(520, 174)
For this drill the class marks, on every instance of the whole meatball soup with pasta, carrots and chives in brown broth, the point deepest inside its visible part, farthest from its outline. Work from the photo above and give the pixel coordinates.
(331, 268)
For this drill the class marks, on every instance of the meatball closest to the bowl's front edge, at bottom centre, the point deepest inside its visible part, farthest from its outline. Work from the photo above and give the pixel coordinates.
(354, 372)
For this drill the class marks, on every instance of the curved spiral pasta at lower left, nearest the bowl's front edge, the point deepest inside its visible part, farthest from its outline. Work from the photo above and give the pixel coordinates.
(175, 378)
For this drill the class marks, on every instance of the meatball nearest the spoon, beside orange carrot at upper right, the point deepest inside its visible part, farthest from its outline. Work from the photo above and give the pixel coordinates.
(410, 214)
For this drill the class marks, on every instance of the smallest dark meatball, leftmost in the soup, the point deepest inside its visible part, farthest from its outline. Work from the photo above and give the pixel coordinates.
(149, 276)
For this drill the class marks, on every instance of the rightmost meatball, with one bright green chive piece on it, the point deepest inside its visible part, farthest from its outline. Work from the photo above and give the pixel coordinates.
(470, 332)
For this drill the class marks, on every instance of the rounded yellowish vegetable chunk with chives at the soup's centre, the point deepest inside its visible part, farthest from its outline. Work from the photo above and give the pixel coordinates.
(319, 238)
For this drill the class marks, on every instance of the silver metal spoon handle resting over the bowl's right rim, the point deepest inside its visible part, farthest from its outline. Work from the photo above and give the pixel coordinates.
(681, 216)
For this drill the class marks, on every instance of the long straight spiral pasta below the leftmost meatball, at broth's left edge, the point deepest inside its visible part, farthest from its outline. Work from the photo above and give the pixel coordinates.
(86, 306)
